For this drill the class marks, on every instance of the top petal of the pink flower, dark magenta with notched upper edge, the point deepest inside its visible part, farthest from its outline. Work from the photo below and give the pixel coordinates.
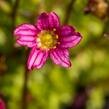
(48, 21)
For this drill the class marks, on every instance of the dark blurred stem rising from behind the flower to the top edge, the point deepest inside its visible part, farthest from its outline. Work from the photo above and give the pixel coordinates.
(68, 11)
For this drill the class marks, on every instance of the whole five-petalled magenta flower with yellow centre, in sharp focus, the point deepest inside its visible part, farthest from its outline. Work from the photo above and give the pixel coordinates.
(47, 38)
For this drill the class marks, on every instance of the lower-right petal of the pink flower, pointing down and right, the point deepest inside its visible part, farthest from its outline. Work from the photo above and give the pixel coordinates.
(60, 57)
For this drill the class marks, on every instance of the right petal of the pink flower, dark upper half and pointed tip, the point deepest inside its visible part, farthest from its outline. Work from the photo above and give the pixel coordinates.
(69, 38)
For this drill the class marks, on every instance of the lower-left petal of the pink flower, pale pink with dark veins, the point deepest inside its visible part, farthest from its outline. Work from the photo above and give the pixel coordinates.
(37, 58)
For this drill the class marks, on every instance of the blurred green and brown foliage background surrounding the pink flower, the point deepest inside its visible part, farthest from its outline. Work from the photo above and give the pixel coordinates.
(83, 86)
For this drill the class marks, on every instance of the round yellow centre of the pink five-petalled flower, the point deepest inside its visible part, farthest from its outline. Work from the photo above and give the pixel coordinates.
(47, 40)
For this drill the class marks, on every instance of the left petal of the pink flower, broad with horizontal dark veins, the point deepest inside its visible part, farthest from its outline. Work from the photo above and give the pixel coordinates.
(26, 35)
